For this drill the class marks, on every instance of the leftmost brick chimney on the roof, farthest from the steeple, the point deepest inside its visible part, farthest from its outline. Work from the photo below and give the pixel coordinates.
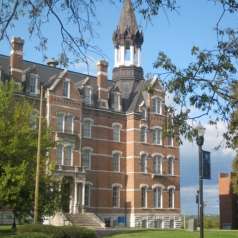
(16, 58)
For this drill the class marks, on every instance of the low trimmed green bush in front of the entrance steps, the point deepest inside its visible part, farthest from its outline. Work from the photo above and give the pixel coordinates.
(58, 232)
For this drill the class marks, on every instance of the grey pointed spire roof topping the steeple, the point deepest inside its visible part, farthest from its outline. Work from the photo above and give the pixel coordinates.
(127, 18)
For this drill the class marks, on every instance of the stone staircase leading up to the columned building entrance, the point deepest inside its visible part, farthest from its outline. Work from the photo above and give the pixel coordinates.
(88, 220)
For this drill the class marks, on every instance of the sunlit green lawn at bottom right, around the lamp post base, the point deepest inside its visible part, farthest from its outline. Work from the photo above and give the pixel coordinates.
(177, 234)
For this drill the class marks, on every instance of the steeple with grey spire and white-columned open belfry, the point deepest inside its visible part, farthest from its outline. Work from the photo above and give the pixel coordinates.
(127, 40)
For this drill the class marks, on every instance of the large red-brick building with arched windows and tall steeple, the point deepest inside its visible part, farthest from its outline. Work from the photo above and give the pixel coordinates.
(110, 150)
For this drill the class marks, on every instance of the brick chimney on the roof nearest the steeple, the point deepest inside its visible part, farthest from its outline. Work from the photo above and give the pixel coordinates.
(103, 94)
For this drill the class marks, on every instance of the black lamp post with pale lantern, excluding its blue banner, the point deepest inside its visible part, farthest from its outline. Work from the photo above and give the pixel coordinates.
(200, 141)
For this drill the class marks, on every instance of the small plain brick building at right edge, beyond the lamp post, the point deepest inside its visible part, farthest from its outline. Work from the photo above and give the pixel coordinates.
(228, 203)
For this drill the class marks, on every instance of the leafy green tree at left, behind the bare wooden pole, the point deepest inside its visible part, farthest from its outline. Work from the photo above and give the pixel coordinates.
(18, 144)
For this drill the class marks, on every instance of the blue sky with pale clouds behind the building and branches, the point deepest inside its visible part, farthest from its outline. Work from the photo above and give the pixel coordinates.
(175, 33)
